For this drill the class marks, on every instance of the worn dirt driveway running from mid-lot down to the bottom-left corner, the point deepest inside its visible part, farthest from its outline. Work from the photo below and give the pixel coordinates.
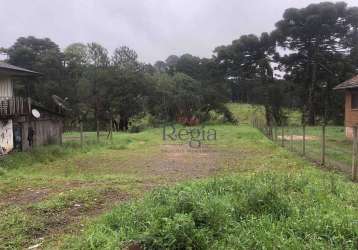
(94, 183)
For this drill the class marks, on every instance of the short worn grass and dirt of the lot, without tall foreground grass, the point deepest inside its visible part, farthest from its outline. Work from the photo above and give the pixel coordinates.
(55, 190)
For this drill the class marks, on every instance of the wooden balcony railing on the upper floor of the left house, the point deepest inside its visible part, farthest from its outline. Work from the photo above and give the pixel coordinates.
(14, 106)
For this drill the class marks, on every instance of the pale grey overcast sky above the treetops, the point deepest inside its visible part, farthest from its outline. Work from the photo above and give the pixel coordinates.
(154, 28)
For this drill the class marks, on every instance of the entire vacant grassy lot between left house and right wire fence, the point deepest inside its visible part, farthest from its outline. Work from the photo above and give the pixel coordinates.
(241, 191)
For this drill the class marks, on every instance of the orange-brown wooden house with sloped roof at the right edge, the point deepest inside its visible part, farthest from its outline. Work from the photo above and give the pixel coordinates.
(351, 104)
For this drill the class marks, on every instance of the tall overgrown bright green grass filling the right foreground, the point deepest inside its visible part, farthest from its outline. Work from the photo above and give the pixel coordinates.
(309, 210)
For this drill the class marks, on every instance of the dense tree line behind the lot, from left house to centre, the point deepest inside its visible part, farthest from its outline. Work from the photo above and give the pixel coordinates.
(99, 87)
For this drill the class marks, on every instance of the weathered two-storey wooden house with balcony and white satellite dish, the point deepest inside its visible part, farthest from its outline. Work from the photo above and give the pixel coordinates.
(23, 122)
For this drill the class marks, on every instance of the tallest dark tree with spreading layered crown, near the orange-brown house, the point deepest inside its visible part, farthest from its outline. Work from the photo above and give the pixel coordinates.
(314, 37)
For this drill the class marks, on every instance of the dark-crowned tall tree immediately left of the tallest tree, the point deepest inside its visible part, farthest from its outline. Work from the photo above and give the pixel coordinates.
(249, 58)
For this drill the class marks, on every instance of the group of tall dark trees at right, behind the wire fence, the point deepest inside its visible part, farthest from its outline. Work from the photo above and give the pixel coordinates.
(320, 44)
